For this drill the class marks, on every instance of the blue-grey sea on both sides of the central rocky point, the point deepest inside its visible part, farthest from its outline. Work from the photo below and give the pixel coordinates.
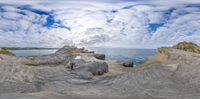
(138, 56)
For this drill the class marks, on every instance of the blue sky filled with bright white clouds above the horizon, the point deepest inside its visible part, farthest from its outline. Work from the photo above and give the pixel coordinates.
(99, 23)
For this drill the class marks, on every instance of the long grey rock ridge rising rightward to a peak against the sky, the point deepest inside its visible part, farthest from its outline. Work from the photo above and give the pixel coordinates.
(62, 56)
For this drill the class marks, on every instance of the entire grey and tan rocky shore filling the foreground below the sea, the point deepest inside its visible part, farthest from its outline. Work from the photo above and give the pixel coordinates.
(172, 73)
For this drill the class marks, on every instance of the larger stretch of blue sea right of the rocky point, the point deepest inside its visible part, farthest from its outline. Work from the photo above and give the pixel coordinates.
(138, 56)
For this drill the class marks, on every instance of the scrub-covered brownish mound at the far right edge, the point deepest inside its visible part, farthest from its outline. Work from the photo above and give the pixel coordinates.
(188, 46)
